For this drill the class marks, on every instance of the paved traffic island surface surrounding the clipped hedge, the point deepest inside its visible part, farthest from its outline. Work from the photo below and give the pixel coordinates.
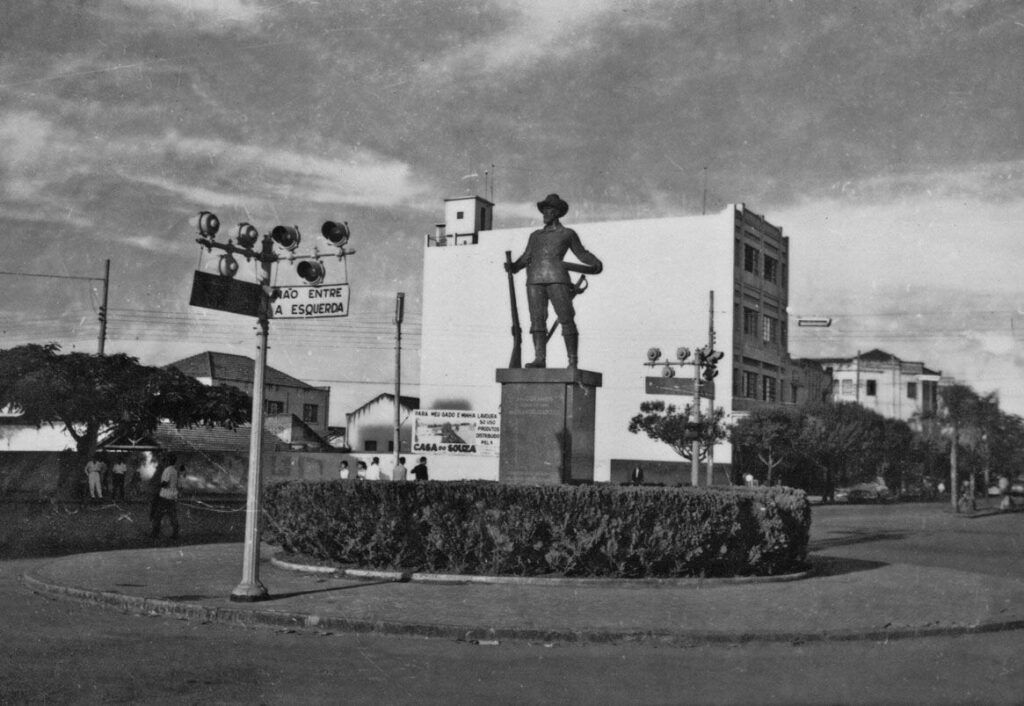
(842, 600)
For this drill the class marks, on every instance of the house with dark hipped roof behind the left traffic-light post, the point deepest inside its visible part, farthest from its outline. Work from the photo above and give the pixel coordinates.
(282, 393)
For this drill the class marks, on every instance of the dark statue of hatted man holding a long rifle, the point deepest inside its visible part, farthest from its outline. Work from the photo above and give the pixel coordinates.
(548, 279)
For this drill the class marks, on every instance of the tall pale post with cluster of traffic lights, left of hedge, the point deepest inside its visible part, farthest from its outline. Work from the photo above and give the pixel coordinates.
(255, 300)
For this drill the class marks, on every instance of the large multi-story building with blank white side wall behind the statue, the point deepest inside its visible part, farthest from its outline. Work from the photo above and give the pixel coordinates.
(655, 292)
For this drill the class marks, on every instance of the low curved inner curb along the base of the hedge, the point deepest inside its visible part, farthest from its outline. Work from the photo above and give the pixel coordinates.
(422, 577)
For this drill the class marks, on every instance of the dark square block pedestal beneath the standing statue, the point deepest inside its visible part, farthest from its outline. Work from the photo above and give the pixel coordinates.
(547, 426)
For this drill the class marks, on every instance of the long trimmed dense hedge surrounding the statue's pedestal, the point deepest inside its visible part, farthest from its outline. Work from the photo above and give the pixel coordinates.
(498, 529)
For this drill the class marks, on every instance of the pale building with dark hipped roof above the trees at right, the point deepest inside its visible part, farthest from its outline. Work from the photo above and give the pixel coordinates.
(880, 382)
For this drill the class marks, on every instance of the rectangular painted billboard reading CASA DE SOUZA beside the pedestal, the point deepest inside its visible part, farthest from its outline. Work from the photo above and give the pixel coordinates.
(457, 433)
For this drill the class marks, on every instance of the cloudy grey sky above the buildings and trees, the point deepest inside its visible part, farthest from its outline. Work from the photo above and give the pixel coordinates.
(886, 139)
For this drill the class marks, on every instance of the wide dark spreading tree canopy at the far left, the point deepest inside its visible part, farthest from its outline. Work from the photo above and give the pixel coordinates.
(95, 396)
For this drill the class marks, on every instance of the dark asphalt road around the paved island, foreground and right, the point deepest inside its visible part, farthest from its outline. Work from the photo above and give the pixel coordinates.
(61, 652)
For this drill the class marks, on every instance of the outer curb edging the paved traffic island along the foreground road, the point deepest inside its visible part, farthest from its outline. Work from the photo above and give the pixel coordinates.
(249, 617)
